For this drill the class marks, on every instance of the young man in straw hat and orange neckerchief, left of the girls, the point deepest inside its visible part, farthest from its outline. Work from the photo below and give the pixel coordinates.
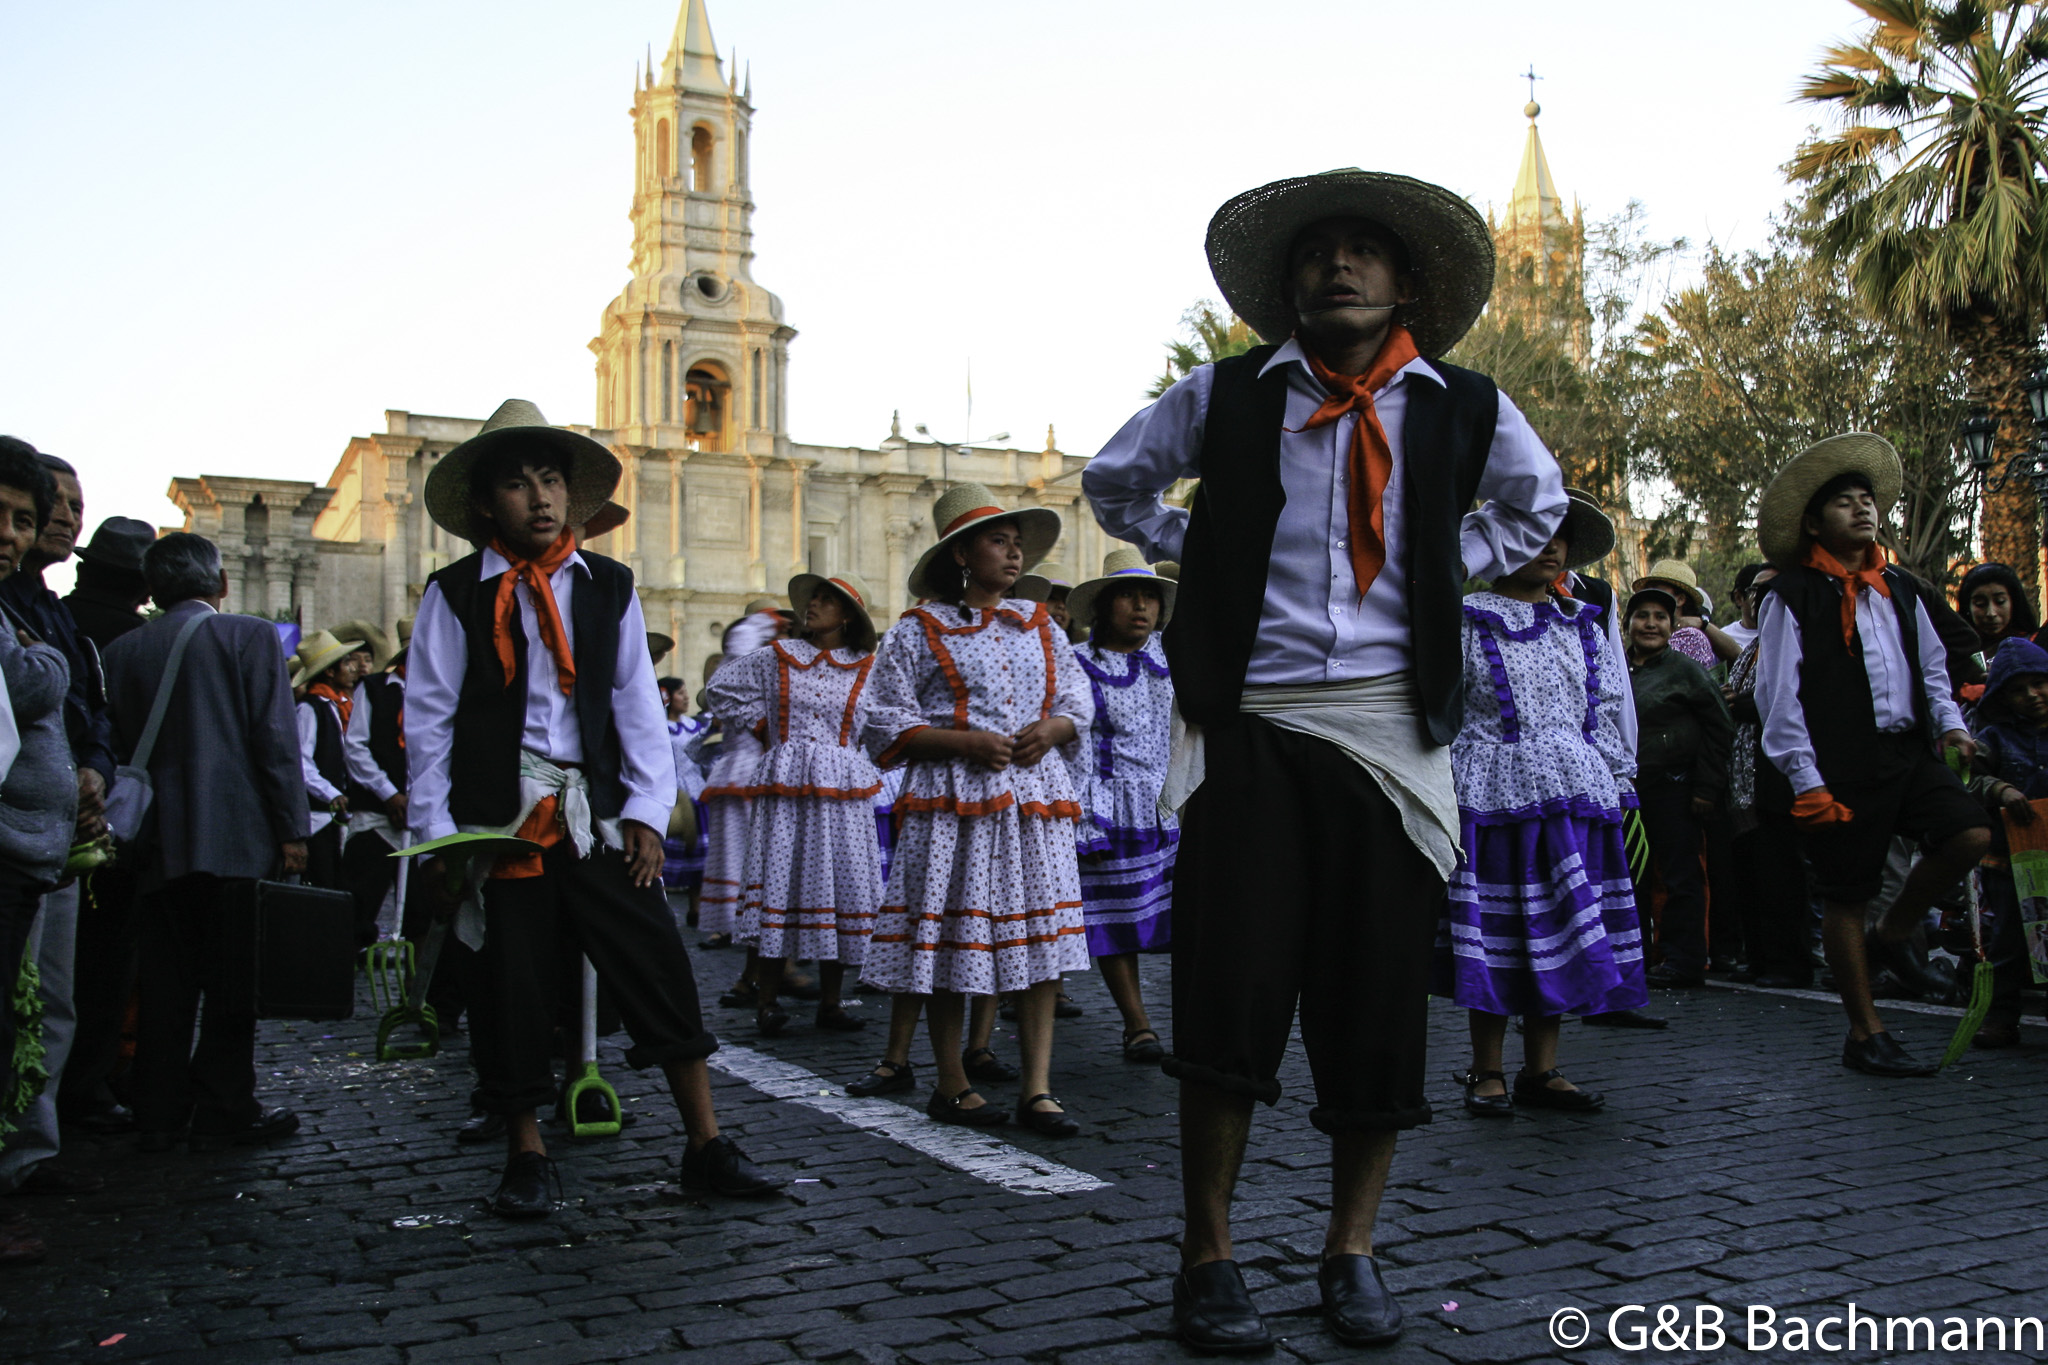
(531, 709)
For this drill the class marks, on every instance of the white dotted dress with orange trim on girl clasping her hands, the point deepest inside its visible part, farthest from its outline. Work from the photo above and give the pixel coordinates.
(984, 893)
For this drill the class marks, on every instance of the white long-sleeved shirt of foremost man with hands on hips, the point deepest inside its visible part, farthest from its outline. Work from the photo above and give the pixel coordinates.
(1314, 625)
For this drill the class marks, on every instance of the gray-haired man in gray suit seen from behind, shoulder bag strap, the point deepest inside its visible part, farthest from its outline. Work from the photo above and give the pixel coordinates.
(230, 807)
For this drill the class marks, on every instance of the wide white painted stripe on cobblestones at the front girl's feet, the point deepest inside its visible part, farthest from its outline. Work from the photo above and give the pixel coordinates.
(964, 1149)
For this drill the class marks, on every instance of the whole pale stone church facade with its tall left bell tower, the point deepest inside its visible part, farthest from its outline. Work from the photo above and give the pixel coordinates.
(691, 396)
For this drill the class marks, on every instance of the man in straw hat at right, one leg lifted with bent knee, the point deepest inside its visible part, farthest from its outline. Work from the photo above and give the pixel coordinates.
(1854, 699)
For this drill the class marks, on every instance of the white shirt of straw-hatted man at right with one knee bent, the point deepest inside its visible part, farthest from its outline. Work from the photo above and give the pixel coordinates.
(1891, 674)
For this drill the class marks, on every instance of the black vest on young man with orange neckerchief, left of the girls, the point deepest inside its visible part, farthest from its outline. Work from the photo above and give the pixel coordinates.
(490, 715)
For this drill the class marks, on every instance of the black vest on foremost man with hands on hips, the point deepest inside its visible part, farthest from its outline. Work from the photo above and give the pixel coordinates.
(1447, 437)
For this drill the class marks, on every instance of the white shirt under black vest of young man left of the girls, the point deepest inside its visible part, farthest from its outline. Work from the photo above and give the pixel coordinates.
(435, 680)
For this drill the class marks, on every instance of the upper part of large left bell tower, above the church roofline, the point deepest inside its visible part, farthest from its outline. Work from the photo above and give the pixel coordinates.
(693, 353)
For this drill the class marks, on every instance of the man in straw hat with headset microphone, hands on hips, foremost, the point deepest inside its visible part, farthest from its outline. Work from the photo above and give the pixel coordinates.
(1316, 650)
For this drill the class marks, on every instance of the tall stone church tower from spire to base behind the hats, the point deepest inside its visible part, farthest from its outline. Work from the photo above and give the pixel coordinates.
(693, 353)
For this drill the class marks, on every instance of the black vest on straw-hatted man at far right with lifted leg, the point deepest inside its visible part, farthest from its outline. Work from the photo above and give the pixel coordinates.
(1834, 689)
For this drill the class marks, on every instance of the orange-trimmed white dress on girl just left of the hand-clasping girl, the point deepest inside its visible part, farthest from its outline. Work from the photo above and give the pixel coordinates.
(812, 871)
